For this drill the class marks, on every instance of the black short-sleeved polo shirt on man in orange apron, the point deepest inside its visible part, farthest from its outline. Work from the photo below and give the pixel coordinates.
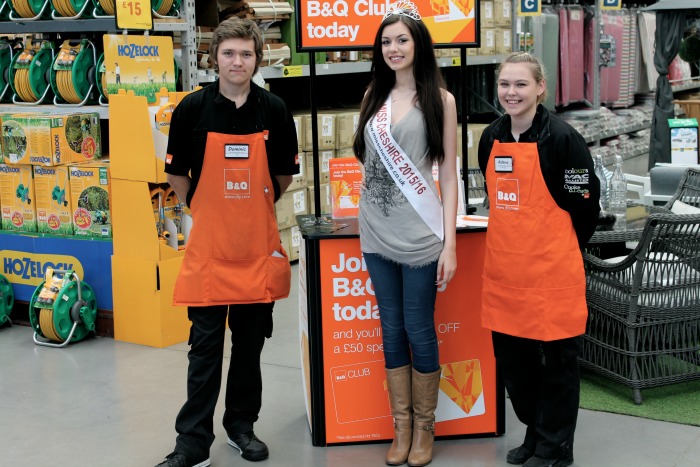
(206, 110)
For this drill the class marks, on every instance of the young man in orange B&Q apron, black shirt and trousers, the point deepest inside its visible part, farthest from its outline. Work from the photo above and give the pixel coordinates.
(232, 152)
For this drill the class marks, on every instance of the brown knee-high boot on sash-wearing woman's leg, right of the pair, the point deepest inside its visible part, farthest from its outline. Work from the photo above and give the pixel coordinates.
(425, 388)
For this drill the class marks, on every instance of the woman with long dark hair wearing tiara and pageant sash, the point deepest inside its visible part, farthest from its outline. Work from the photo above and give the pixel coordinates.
(408, 121)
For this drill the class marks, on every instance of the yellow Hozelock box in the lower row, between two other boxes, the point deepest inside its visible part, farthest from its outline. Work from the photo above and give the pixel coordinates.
(54, 213)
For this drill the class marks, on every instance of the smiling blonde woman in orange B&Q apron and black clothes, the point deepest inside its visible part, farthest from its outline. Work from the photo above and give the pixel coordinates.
(543, 197)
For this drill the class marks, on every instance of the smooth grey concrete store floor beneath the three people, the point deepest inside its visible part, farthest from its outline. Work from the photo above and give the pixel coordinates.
(110, 404)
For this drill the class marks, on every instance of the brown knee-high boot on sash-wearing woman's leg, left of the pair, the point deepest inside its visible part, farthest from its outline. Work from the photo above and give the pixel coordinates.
(398, 381)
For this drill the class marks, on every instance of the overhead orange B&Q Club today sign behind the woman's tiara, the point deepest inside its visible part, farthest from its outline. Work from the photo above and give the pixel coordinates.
(337, 24)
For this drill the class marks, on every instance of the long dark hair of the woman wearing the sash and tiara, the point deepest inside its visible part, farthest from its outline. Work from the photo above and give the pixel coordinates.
(429, 84)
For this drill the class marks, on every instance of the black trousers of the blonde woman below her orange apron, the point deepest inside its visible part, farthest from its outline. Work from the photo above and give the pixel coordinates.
(544, 384)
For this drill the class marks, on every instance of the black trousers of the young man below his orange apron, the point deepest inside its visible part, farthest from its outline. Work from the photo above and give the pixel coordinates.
(250, 324)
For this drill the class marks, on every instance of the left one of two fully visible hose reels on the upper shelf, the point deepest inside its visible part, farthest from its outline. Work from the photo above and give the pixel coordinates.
(31, 73)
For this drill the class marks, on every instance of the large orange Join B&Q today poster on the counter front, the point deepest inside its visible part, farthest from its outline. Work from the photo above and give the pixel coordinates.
(355, 395)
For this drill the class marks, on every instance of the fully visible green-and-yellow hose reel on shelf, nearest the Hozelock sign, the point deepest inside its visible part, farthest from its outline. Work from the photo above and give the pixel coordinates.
(73, 73)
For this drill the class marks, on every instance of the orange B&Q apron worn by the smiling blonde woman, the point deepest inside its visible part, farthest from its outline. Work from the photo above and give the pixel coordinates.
(534, 283)
